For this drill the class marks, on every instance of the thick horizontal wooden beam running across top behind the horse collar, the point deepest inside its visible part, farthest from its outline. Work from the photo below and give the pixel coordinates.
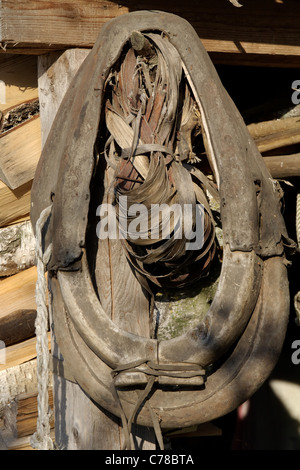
(267, 29)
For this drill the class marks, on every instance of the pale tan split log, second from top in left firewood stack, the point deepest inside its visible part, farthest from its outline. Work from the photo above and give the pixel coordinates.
(20, 153)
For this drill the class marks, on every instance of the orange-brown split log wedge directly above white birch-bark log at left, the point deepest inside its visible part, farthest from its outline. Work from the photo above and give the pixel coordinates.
(14, 204)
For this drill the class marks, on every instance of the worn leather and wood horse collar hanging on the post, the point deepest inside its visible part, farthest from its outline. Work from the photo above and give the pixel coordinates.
(253, 289)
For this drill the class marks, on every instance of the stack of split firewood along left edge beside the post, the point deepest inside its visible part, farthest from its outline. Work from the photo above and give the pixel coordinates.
(20, 148)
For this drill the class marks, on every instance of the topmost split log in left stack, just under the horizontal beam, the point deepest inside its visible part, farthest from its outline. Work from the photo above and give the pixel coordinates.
(18, 80)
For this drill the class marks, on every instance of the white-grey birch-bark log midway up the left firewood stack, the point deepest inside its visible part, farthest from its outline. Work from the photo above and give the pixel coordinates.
(17, 248)
